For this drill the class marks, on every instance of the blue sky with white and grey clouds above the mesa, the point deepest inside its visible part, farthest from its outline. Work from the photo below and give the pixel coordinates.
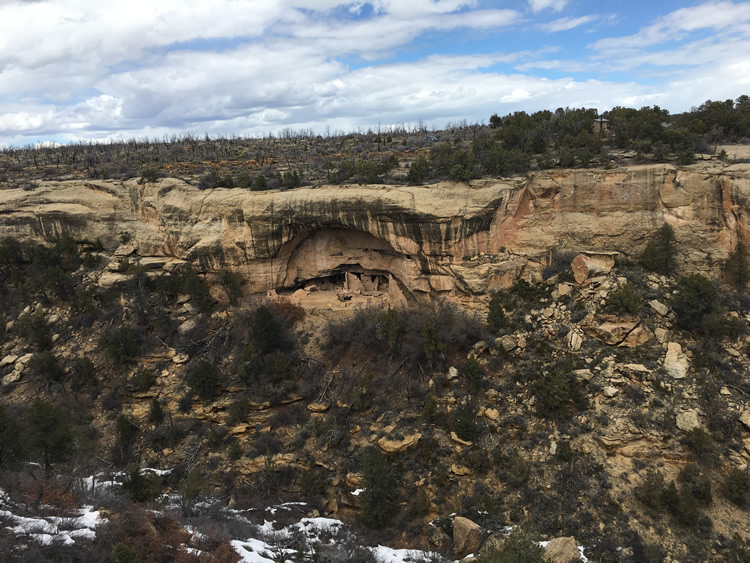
(74, 70)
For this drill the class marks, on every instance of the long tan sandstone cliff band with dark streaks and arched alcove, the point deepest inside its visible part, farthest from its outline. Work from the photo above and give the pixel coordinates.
(421, 238)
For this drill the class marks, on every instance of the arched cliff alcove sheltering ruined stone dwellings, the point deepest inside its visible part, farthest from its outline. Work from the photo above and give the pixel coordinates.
(345, 265)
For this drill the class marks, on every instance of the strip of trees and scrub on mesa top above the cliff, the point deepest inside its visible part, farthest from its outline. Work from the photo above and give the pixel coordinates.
(510, 144)
